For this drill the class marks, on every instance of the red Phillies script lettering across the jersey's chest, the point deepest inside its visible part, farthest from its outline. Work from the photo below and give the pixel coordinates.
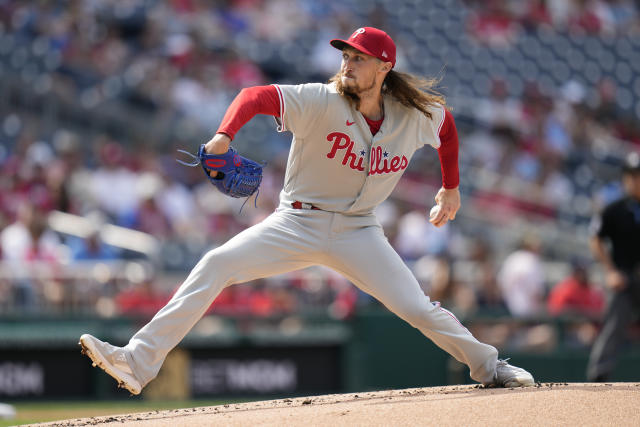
(380, 160)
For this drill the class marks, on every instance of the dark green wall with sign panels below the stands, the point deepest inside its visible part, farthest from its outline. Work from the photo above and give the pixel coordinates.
(40, 358)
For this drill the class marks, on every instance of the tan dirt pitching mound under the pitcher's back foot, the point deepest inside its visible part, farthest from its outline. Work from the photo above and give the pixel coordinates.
(613, 404)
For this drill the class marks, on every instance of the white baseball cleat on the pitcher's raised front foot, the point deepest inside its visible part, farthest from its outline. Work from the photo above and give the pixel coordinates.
(112, 360)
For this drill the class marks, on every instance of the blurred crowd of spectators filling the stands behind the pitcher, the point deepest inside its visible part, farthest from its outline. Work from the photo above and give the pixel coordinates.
(99, 95)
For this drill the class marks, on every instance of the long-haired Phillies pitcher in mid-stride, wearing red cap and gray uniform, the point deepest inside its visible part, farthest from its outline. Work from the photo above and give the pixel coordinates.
(352, 140)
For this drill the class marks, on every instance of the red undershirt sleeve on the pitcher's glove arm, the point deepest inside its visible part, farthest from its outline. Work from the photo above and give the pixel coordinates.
(249, 102)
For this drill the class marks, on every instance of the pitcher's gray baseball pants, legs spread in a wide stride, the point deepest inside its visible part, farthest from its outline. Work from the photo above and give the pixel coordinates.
(291, 239)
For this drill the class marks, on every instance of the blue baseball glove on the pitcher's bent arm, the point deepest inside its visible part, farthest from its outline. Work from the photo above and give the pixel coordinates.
(237, 176)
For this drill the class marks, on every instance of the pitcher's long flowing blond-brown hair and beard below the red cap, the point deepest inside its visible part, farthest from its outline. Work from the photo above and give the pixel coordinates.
(409, 90)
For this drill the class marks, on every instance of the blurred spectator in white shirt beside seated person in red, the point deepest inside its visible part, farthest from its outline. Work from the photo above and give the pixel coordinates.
(521, 279)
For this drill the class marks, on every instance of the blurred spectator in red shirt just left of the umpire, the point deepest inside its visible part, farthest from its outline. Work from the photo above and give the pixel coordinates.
(576, 294)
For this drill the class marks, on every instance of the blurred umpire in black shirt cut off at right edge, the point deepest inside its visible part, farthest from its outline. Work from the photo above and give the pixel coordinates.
(616, 244)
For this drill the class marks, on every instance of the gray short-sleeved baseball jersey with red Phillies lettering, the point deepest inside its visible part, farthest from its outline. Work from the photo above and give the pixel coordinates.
(334, 162)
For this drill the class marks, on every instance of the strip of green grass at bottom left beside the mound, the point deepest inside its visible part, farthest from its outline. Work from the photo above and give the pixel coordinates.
(38, 412)
